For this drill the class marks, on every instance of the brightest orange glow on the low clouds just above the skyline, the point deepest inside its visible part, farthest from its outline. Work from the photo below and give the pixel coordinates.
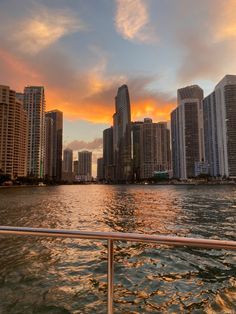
(85, 103)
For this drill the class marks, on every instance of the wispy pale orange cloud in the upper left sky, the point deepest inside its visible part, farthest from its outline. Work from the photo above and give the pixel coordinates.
(41, 28)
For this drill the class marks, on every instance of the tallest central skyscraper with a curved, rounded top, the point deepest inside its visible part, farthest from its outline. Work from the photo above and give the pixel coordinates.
(122, 136)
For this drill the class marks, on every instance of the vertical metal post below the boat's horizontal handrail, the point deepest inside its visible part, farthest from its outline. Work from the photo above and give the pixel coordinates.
(110, 276)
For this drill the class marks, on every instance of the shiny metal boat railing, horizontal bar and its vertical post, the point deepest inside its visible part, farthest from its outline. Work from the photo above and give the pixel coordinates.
(111, 237)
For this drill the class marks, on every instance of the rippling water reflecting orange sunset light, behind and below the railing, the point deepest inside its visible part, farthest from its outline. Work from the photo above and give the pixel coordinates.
(39, 275)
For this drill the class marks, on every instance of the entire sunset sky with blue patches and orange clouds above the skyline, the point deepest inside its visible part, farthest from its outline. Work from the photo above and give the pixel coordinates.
(82, 51)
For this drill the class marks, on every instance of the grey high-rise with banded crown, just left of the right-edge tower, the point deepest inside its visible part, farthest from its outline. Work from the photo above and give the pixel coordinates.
(187, 132)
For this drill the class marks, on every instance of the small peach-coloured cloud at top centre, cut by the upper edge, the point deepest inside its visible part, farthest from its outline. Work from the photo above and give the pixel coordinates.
(132, 21)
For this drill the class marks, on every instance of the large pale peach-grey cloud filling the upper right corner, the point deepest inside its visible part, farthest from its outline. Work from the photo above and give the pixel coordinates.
(208, 47)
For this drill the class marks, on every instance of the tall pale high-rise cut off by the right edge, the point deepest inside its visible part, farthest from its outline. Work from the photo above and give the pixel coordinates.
(220, 128)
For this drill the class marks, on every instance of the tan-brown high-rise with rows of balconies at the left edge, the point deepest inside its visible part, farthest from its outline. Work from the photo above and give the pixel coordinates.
(13, 134)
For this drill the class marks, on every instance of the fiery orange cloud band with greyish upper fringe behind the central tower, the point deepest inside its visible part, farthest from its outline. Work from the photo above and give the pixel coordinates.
(91, 100)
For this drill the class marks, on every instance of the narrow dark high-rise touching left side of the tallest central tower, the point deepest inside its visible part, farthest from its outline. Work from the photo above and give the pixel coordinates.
(108, 161)
